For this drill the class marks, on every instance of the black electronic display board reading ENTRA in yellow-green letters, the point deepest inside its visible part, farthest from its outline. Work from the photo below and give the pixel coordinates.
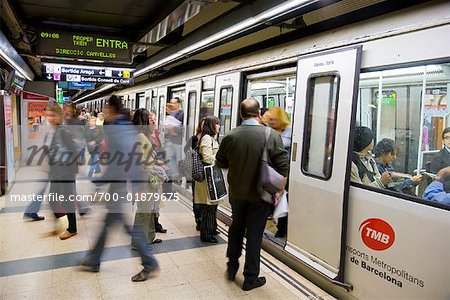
(83, 46)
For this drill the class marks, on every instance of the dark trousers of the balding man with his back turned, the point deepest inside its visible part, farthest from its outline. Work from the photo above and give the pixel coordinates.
(250, 217)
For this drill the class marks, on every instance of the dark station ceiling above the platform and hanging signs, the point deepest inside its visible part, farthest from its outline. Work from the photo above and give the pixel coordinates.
(145, 24)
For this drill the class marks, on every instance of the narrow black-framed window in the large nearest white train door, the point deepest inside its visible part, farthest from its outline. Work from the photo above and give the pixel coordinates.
(320, 122)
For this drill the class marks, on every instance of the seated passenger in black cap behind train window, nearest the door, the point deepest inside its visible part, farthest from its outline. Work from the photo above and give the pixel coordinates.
(364, 168)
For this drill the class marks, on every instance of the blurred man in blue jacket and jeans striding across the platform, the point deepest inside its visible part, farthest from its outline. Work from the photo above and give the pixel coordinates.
(121, 140)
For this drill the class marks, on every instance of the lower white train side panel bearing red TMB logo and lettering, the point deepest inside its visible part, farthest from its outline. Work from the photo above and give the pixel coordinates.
(396, 249)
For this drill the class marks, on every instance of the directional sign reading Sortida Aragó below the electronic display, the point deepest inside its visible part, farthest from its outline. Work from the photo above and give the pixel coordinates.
(59, 72)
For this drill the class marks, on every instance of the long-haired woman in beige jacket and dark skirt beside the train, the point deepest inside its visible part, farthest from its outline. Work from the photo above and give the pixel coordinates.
(208, 147)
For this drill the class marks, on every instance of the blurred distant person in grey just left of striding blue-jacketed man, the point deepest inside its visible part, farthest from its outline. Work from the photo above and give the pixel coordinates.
(94, 136)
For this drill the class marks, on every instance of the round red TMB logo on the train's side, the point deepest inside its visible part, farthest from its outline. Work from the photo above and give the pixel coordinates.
(377, 234)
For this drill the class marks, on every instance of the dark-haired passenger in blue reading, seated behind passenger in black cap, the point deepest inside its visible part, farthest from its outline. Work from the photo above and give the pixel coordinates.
(385, 153)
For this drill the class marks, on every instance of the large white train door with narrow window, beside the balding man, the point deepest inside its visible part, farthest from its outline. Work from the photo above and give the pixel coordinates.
(320, 160)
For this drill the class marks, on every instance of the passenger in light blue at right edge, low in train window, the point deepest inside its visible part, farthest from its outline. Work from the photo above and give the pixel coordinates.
(439, 189)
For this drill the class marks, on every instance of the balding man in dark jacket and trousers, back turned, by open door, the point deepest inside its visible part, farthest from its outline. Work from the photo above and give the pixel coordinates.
(241, 151)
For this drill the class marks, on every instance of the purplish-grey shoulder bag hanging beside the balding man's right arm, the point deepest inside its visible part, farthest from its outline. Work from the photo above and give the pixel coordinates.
(270, 180)
